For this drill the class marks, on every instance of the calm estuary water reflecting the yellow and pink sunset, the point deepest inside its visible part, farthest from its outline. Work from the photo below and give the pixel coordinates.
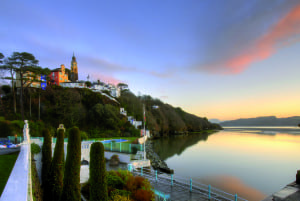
(252, 162)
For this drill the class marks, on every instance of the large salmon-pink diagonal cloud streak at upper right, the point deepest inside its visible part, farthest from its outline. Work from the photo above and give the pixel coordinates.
(283, 33)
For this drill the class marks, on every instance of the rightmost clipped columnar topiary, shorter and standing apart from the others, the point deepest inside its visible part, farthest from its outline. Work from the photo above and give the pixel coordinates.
(98, 182)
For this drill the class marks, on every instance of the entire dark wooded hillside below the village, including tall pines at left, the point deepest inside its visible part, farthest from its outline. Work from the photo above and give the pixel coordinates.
(98, 115)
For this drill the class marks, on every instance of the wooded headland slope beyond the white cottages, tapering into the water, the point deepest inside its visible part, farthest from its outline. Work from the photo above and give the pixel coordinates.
(163, 119)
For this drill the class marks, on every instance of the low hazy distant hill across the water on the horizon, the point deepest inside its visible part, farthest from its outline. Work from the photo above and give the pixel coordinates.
(264, 121)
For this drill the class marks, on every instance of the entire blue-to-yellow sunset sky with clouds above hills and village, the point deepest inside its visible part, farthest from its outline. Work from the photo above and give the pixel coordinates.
(213, 58)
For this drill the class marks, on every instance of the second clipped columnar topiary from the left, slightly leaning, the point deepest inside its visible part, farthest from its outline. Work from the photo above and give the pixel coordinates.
(55, 175)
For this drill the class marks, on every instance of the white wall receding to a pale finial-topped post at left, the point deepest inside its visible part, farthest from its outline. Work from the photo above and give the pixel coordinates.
(19, 186)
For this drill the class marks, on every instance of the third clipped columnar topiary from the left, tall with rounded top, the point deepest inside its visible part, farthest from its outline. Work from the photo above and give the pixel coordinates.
(71, 188)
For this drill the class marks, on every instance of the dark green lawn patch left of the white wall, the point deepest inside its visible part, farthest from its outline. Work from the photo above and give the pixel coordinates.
(7, 163)
